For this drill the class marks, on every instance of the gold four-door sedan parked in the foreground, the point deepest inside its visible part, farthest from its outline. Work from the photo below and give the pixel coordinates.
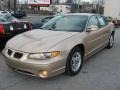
(61, 45)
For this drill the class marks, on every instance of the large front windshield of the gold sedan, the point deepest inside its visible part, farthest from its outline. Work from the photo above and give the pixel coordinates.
(73, 23)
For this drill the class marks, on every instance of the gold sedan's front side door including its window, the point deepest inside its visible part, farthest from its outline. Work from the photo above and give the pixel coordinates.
(93, 38)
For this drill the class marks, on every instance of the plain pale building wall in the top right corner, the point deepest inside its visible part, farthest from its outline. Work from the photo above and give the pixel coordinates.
(112, 8)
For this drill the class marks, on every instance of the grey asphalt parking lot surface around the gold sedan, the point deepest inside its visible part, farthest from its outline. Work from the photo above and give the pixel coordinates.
(100, 72)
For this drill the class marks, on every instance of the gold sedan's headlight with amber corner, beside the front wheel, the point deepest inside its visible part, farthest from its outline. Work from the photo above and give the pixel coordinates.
(44, 55)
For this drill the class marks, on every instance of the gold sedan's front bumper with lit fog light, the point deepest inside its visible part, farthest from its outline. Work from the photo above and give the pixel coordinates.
(42, 68)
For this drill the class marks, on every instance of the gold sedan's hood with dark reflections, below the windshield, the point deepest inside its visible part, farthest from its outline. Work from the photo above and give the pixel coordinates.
(38, 40)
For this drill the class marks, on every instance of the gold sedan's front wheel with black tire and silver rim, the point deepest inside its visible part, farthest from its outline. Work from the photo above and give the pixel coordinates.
(75, 56)
